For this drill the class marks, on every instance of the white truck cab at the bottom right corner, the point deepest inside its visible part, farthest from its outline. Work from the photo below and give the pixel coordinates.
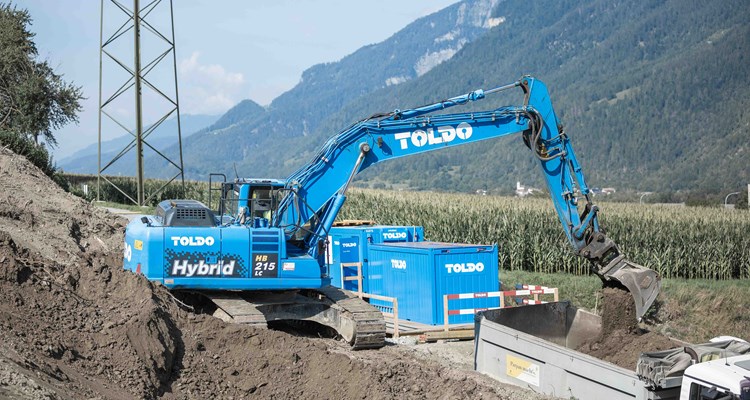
(720, 379)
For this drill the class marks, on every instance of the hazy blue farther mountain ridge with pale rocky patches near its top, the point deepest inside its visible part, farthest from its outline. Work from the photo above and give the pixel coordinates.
(266, 143)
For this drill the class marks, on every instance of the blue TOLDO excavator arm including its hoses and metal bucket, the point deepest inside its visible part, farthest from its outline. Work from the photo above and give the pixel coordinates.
(317, 191)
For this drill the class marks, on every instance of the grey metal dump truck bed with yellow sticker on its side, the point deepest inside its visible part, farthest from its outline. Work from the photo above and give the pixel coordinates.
(533, 346)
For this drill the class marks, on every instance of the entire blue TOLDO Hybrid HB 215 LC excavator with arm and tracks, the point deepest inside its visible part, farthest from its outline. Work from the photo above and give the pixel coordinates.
(261, 256)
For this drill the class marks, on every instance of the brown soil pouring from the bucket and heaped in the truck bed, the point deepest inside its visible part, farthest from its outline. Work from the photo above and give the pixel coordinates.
(621, 340)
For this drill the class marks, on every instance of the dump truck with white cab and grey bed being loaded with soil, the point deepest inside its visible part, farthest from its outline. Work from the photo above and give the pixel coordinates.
(533, 346)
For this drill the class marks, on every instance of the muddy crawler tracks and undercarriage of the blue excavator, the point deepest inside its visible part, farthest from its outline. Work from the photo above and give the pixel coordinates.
(358, 322)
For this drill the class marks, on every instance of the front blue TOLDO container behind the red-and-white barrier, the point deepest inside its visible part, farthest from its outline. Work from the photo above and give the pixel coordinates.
(419, 274)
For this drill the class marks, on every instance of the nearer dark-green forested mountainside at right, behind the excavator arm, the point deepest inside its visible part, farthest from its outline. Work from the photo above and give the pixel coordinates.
(654, 95)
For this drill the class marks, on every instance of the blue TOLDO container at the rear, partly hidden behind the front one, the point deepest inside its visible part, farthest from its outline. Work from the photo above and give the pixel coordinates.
(349, 244)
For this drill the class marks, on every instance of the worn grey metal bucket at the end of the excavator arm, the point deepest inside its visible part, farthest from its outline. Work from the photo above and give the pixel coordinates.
(643, 284)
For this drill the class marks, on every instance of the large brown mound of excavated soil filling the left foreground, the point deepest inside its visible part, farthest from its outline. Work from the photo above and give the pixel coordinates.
(74, 324)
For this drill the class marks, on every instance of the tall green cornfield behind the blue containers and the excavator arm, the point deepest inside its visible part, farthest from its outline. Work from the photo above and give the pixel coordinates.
(678, 242)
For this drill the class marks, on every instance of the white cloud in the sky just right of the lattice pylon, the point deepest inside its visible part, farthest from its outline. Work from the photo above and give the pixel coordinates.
(207, 89)
